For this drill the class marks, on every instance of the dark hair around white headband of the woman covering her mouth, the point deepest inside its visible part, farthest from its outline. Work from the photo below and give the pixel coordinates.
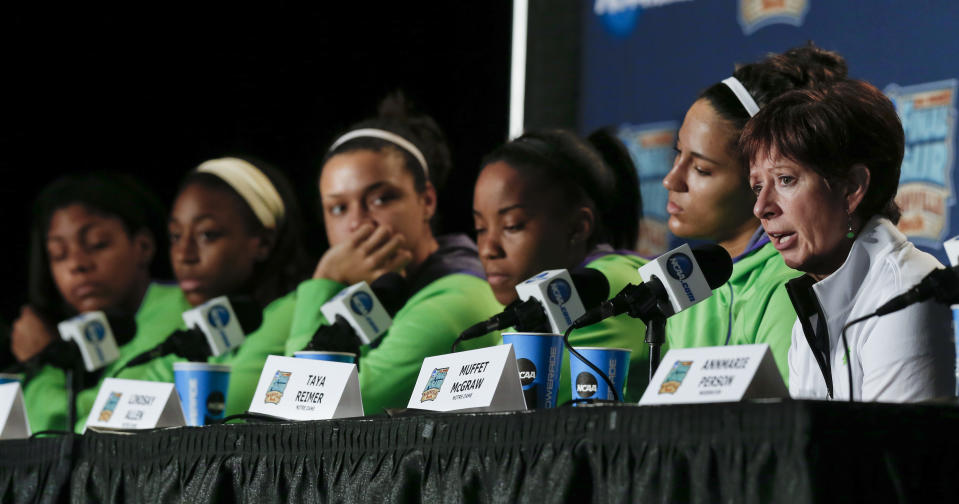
(397, 115)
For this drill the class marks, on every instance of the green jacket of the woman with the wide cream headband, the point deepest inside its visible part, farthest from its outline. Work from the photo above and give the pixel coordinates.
(246, 361)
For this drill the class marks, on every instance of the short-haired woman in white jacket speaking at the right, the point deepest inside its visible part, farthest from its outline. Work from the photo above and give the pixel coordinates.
(824, 165)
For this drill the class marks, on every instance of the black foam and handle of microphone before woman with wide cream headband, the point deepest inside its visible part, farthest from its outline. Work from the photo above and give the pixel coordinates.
(192, 343)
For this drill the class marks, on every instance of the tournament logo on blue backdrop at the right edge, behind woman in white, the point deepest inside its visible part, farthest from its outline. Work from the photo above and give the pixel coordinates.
(928, 114)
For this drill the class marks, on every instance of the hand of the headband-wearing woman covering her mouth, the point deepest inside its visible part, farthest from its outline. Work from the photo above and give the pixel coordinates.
(367, 254)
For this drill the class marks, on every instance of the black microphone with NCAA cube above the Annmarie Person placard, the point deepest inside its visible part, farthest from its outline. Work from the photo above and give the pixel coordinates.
(656, 297)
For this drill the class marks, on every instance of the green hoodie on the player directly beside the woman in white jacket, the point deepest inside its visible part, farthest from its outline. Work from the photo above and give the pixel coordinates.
(753, 307)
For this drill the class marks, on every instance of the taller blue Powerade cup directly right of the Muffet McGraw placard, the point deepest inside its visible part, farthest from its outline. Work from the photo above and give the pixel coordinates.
(539, 357)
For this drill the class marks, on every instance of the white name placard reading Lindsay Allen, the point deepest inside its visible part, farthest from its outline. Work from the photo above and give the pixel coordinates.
(134, 405)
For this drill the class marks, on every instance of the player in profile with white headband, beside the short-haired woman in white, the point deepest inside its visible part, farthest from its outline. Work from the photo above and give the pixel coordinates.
(710, 199)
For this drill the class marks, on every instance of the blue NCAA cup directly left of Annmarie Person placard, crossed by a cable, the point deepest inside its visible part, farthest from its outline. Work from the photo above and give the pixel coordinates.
(589, 385)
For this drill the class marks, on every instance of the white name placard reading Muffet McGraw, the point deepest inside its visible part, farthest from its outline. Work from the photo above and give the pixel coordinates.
(486, 379)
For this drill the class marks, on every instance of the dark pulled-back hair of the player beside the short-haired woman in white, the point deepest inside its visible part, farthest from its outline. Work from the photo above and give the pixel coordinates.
(797, 68)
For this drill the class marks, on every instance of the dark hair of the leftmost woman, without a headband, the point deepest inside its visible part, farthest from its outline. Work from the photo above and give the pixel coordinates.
(109, 194)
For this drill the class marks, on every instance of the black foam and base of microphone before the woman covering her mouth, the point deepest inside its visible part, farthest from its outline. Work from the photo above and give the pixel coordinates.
(390, 290)
